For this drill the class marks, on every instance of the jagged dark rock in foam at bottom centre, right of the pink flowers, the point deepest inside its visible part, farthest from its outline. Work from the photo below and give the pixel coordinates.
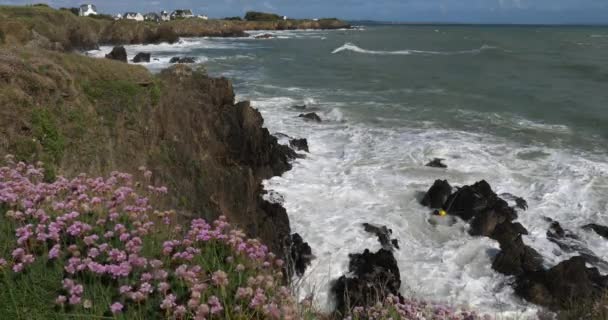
(375, 276)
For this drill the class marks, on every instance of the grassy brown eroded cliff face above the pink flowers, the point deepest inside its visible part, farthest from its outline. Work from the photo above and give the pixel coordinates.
(79, 114)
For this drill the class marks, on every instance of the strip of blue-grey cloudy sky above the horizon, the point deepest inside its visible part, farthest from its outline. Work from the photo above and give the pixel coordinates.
(458, 11)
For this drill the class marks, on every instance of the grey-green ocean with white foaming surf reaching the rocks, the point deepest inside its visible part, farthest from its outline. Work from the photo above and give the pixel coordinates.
(525, 108)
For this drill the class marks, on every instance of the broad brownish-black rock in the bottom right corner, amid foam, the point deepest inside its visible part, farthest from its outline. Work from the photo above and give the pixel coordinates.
(568, 285)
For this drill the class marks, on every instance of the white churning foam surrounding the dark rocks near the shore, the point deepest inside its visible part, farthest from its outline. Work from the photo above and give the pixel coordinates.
(358, 174)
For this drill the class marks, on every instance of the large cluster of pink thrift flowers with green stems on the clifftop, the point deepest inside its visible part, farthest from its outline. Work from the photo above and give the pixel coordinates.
(106, 231)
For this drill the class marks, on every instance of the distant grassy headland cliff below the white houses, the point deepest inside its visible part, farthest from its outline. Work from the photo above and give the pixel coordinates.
(62, 30)
